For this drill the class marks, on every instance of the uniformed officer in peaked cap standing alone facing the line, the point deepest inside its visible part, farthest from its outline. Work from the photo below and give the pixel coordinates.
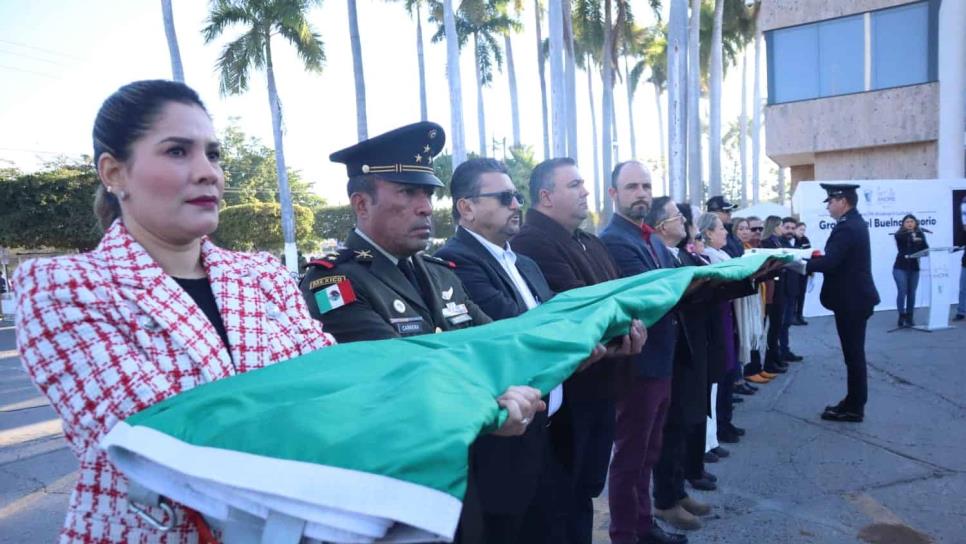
(848, 290)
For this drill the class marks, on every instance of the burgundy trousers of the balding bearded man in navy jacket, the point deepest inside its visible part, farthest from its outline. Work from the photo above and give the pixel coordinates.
(637, 448)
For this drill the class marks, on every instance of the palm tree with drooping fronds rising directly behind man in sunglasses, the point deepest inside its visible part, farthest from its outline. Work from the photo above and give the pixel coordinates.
(483, 20)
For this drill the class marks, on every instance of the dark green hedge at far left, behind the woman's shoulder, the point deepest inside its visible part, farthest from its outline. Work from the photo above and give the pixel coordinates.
(50, 208)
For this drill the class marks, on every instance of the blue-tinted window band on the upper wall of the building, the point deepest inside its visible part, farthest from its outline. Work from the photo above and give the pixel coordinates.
(881, 49)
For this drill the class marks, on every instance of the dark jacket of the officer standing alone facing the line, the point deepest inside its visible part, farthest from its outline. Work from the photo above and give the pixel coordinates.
(847, 265)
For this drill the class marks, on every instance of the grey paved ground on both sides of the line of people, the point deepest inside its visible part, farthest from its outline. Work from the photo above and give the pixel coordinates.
(898, 478)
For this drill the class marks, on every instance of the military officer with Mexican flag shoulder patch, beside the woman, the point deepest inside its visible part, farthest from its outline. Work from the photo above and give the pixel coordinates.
(382, 284)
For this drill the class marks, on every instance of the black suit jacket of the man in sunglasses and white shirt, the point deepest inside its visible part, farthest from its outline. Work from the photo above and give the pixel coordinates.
(507, 470)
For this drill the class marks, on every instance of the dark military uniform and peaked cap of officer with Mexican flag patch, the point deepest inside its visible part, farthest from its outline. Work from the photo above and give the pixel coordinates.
(362, 292)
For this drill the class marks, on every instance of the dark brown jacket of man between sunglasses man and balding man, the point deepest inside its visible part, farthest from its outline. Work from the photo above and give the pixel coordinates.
(569, 260)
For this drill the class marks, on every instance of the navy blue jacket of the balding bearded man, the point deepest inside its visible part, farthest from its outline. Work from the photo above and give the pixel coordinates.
(625, 242)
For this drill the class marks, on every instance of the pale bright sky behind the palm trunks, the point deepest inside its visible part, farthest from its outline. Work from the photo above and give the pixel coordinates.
(59, 59)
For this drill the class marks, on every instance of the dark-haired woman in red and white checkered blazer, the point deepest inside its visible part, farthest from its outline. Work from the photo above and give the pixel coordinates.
(156, 308)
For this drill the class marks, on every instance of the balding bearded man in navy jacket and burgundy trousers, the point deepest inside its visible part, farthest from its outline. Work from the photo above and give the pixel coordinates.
(642, 410)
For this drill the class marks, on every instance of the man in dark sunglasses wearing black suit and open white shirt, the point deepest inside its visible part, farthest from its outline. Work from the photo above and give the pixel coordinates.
(486, 205)
